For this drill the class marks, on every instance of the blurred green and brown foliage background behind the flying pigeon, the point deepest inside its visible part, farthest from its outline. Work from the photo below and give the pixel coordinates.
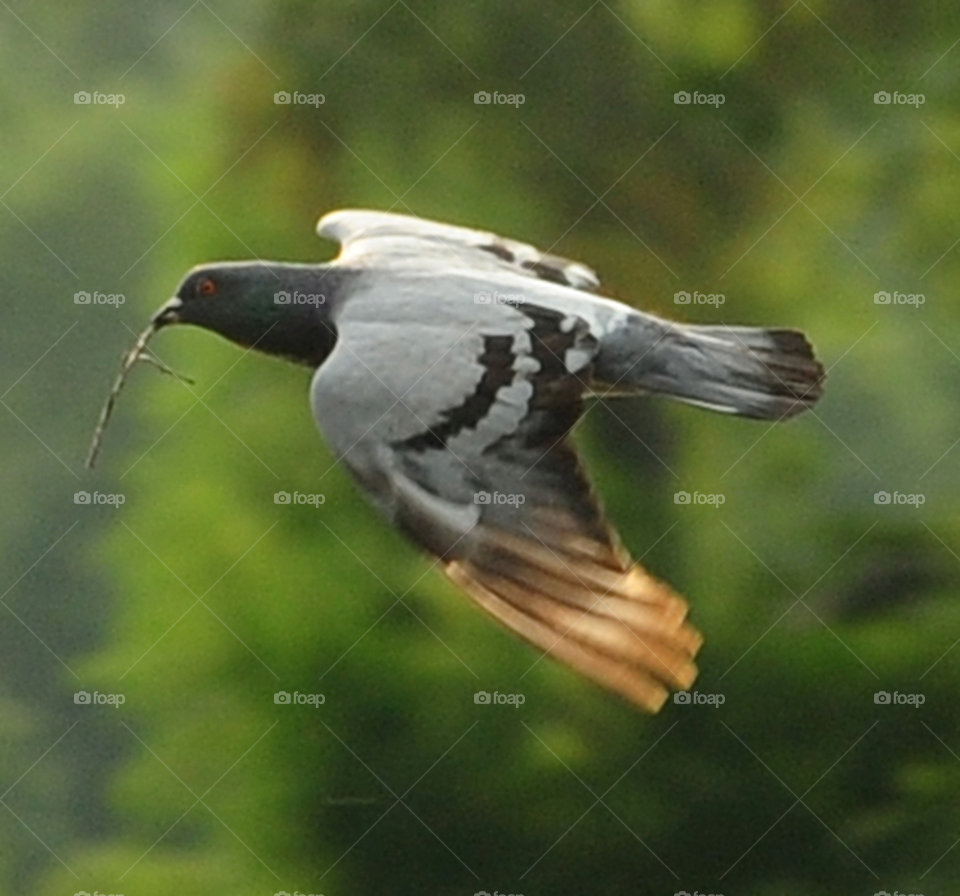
(200, 164)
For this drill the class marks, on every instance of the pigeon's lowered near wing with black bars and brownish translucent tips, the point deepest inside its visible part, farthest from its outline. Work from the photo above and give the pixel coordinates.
(457, 426)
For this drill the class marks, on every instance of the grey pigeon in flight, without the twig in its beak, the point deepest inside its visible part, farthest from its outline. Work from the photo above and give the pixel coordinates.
(451, 365)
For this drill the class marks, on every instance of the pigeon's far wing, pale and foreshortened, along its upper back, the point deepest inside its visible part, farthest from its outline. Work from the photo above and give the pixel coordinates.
(371, 234)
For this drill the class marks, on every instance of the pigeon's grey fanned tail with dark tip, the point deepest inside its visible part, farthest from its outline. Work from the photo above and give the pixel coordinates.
(767, 374)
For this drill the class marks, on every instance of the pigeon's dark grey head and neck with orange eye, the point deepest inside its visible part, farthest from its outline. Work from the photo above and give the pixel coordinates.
(281, 309)
